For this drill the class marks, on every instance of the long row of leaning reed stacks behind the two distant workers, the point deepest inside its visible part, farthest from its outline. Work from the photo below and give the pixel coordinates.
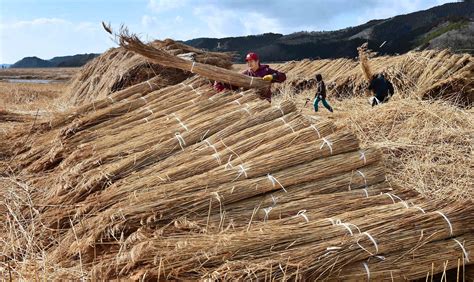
(427, 74)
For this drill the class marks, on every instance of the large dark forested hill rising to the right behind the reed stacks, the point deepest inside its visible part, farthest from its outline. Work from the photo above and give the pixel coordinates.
(419, 30)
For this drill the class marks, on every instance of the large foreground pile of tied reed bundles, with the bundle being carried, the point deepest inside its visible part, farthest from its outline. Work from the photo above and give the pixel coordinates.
(176, 182)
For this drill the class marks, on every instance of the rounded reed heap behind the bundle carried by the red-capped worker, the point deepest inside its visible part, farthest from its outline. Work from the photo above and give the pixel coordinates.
(118, 69)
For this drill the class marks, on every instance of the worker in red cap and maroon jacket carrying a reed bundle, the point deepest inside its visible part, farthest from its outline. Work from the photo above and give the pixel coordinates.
(255, 69)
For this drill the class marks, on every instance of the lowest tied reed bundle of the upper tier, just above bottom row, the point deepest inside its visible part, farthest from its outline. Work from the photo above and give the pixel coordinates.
(309, 196)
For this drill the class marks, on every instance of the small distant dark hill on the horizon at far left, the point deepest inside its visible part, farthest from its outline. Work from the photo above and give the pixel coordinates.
(64, 61)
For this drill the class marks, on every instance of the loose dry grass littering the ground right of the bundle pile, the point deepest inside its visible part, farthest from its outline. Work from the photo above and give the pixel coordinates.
(428, 145)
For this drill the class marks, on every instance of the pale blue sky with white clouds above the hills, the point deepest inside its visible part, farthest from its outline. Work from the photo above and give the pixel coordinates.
(49, 28)
